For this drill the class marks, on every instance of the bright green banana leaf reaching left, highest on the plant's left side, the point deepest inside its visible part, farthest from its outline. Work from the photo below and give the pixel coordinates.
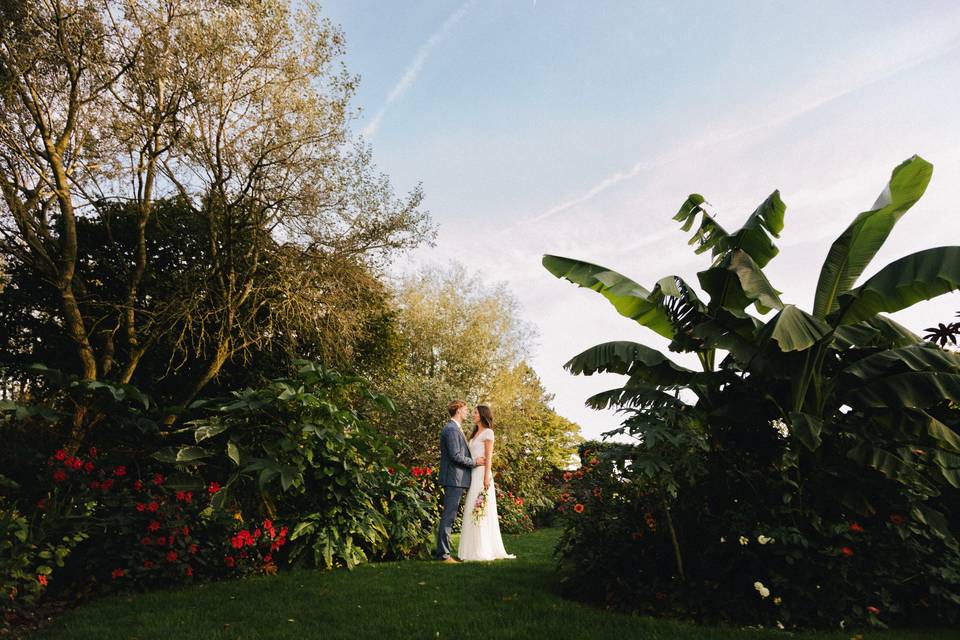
(628, 297)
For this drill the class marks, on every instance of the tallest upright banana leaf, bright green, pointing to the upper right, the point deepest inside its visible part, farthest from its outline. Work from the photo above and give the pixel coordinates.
(854, 249)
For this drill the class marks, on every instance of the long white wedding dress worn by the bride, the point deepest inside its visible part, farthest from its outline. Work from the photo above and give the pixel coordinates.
(481, 541)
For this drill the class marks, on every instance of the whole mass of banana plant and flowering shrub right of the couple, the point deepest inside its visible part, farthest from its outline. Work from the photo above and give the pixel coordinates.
(810, 477)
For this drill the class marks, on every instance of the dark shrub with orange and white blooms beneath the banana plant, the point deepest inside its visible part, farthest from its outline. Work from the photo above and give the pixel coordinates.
(740, 549)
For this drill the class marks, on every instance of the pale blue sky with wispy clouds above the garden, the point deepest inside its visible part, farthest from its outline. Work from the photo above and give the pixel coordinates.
(578, 128)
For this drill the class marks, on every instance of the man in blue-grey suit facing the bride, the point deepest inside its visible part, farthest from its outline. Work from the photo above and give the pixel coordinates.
(456, 466)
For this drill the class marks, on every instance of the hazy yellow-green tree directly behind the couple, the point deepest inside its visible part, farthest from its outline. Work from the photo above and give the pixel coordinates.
(463, 339)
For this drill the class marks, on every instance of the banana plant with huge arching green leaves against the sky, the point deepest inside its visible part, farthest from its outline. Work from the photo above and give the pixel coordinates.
(845, 355)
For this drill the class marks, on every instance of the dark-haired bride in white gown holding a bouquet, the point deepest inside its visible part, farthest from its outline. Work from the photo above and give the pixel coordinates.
(480, 536)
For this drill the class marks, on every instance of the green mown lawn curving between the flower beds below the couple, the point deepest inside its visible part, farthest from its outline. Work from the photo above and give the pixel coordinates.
(409, 600)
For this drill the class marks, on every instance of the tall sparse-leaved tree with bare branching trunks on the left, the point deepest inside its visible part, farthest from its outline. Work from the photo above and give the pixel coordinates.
(239, 111)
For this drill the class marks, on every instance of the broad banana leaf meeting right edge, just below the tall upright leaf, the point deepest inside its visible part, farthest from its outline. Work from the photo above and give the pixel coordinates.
(902, 283)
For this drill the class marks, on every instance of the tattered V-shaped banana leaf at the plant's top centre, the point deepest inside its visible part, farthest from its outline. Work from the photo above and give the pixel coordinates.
(753, 237)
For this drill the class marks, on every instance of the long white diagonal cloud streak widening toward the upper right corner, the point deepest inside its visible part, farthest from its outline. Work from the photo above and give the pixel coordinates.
(845, 78)
